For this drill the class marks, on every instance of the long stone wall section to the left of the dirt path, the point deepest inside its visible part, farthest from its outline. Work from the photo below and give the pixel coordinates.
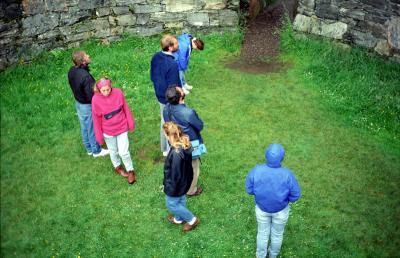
(29, 27)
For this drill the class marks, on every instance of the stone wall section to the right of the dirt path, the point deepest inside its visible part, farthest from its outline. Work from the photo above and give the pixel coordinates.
(374, 24)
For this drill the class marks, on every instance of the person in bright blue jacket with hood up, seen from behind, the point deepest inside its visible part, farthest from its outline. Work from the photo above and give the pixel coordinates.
(273, 188)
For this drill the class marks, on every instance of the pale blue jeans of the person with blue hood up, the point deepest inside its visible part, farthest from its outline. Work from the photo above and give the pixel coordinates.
(270, 224)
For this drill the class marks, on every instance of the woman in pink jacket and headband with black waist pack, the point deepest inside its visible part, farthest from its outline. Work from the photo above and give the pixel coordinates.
(112, 120)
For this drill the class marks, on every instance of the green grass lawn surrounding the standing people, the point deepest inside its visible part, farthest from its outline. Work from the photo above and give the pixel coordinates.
(56, 201)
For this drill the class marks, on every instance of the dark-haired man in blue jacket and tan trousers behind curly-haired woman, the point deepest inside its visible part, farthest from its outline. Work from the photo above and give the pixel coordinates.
(187, 118)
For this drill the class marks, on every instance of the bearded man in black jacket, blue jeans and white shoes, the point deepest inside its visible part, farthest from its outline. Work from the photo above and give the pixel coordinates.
(82, 83)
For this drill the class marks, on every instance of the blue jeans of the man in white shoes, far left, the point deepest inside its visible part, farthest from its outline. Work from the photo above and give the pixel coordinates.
(85, 119)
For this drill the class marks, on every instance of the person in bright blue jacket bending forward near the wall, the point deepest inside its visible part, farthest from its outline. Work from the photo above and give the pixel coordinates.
(186, 45)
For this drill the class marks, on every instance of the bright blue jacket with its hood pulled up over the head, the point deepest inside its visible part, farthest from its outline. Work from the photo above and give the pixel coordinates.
(272, 185)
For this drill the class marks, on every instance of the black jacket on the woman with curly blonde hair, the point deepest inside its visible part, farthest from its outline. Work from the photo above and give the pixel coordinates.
(178, 172)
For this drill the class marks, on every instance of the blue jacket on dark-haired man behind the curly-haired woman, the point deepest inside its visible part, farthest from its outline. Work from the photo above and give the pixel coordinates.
(186, 117)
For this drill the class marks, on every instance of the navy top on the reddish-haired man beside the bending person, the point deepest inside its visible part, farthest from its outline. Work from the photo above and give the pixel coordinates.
(164, 72)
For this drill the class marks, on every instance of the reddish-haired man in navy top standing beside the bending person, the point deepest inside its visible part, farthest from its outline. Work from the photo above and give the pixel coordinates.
(163, 73)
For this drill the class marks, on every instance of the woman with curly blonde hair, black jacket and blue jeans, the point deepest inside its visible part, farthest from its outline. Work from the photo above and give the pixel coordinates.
(178, 175)
